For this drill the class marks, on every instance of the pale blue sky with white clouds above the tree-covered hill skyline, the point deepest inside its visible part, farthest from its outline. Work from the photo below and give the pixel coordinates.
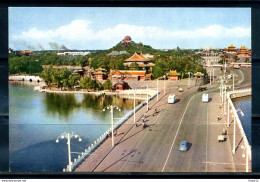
(101, 28)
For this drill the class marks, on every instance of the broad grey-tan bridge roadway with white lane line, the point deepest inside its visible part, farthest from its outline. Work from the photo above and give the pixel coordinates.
(155, 149)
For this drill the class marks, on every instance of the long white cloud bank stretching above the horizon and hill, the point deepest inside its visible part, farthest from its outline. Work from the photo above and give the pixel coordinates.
(80, 35)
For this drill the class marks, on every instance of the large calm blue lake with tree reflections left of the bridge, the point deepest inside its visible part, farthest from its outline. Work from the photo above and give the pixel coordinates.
(37, 119)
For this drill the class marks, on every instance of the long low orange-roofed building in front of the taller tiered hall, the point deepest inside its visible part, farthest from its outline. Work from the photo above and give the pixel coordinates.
(129, 75)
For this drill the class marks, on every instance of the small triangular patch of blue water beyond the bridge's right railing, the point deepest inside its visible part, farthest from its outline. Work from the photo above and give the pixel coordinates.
(245, 104)
